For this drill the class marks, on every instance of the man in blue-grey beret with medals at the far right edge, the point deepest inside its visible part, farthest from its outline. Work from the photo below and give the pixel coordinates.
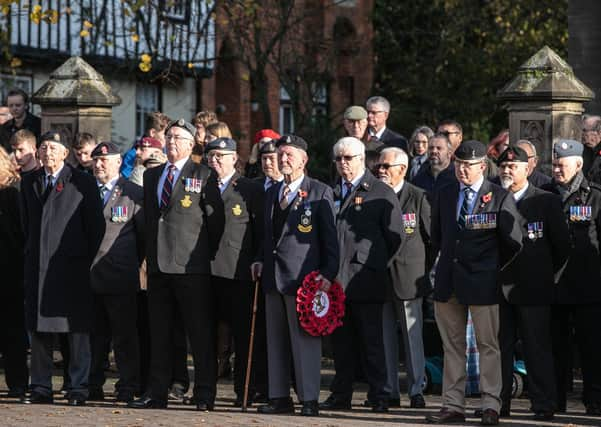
(578, 297)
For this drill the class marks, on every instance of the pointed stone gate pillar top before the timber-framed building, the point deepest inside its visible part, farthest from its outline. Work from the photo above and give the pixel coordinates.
(77, 99)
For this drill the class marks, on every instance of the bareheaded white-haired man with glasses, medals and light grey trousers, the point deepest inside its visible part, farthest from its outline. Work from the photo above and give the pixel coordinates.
(410, 281)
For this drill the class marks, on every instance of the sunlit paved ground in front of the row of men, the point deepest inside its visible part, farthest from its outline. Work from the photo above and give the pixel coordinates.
(111, 414)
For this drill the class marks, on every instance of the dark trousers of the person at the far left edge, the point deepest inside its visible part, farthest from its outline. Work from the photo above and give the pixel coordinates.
(13, 338)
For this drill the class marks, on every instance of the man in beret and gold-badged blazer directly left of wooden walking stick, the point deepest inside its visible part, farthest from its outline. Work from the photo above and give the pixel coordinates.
(236, 228)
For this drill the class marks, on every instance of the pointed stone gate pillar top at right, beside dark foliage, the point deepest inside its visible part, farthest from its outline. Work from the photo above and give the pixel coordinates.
(545, 102)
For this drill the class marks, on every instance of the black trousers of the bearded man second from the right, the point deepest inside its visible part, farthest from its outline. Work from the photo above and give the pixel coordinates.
(533, 324)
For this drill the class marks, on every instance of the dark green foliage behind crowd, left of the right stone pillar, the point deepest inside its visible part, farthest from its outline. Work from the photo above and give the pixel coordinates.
(439, 59)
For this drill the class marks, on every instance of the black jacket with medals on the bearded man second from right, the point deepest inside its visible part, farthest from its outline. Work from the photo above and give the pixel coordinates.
(545, 252)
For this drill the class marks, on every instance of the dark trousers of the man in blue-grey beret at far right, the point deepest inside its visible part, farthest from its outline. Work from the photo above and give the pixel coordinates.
(585, 319)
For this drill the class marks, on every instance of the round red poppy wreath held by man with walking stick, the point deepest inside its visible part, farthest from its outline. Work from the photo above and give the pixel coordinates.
(320, 313)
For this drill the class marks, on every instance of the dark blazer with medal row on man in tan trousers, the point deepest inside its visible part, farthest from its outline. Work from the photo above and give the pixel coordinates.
(471, 259)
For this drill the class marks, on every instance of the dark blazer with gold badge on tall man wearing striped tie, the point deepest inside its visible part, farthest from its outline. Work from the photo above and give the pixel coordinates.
(177, 240)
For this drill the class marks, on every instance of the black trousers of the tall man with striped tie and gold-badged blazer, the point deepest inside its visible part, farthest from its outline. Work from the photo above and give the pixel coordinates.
(193, 297)
